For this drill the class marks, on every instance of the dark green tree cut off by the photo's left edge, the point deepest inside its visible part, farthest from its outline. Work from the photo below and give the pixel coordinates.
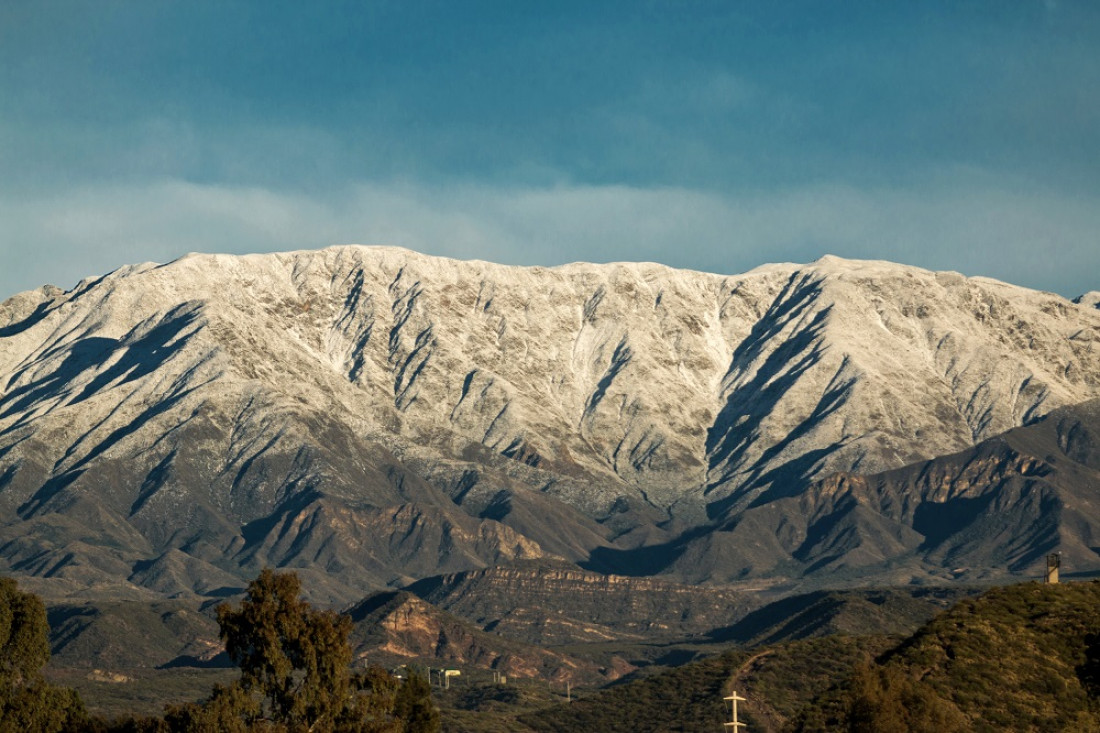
(27, 702)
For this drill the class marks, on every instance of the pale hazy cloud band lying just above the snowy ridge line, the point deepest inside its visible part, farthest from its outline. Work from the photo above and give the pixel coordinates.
(1039, 240)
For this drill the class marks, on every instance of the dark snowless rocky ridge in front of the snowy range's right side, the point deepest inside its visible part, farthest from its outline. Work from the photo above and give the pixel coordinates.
(999, 507)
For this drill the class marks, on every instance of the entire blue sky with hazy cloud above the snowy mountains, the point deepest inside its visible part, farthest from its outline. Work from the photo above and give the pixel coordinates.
(713, 136)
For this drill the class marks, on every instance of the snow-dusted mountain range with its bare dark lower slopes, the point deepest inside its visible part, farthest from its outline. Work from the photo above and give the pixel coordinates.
(372, 417)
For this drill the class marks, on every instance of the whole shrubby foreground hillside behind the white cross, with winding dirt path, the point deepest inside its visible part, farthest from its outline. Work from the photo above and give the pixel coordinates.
(1018, 659)
